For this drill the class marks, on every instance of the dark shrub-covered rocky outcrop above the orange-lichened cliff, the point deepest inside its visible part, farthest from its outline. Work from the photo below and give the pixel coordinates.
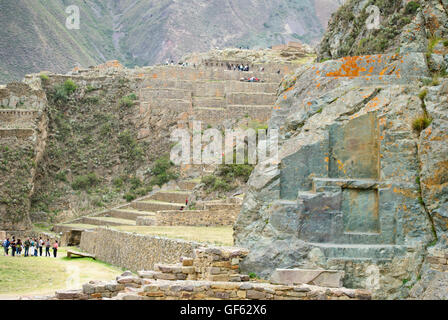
(404, 25)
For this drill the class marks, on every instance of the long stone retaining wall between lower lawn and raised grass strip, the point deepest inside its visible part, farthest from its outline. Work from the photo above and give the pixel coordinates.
(134, 251)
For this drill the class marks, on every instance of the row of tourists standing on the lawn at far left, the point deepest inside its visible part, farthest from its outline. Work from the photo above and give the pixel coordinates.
(31, 247)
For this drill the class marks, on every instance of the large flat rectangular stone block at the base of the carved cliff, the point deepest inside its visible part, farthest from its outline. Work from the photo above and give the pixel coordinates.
(323, 278)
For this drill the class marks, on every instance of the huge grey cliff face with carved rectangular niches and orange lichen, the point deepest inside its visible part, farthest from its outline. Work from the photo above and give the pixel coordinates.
(361, 184)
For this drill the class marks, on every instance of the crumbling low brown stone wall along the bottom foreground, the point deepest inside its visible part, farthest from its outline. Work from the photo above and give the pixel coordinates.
(211, 274)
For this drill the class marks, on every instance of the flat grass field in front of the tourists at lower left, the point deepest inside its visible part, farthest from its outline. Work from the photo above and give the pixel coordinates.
(42, 276)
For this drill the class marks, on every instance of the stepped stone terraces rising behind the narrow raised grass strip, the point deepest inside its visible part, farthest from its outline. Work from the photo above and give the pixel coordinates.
(165, 207)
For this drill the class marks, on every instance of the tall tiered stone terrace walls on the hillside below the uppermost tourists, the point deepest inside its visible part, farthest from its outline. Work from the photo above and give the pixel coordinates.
(206, 94)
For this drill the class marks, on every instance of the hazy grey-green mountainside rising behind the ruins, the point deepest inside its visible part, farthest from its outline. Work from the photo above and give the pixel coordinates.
(34, 36)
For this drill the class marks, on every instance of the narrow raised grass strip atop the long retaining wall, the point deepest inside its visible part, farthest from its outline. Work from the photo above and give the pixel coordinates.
(214, 235)
